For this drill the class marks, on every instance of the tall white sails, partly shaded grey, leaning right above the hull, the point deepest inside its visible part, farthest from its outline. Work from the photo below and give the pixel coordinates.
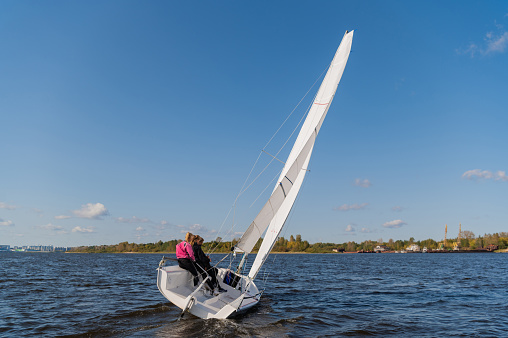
(274, 213)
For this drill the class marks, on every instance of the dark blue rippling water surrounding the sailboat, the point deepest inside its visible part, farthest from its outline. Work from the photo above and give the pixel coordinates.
(106, 295)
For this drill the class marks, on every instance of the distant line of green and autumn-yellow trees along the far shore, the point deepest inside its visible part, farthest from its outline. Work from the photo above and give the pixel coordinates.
(468, 240)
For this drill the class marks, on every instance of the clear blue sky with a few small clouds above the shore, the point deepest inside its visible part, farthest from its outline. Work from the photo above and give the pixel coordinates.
(138, 121)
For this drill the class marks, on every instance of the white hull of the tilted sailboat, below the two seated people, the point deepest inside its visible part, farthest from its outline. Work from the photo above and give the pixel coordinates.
(176, 284)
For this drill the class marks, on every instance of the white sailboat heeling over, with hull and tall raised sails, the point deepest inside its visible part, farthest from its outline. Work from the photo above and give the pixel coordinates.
(176, 284)
